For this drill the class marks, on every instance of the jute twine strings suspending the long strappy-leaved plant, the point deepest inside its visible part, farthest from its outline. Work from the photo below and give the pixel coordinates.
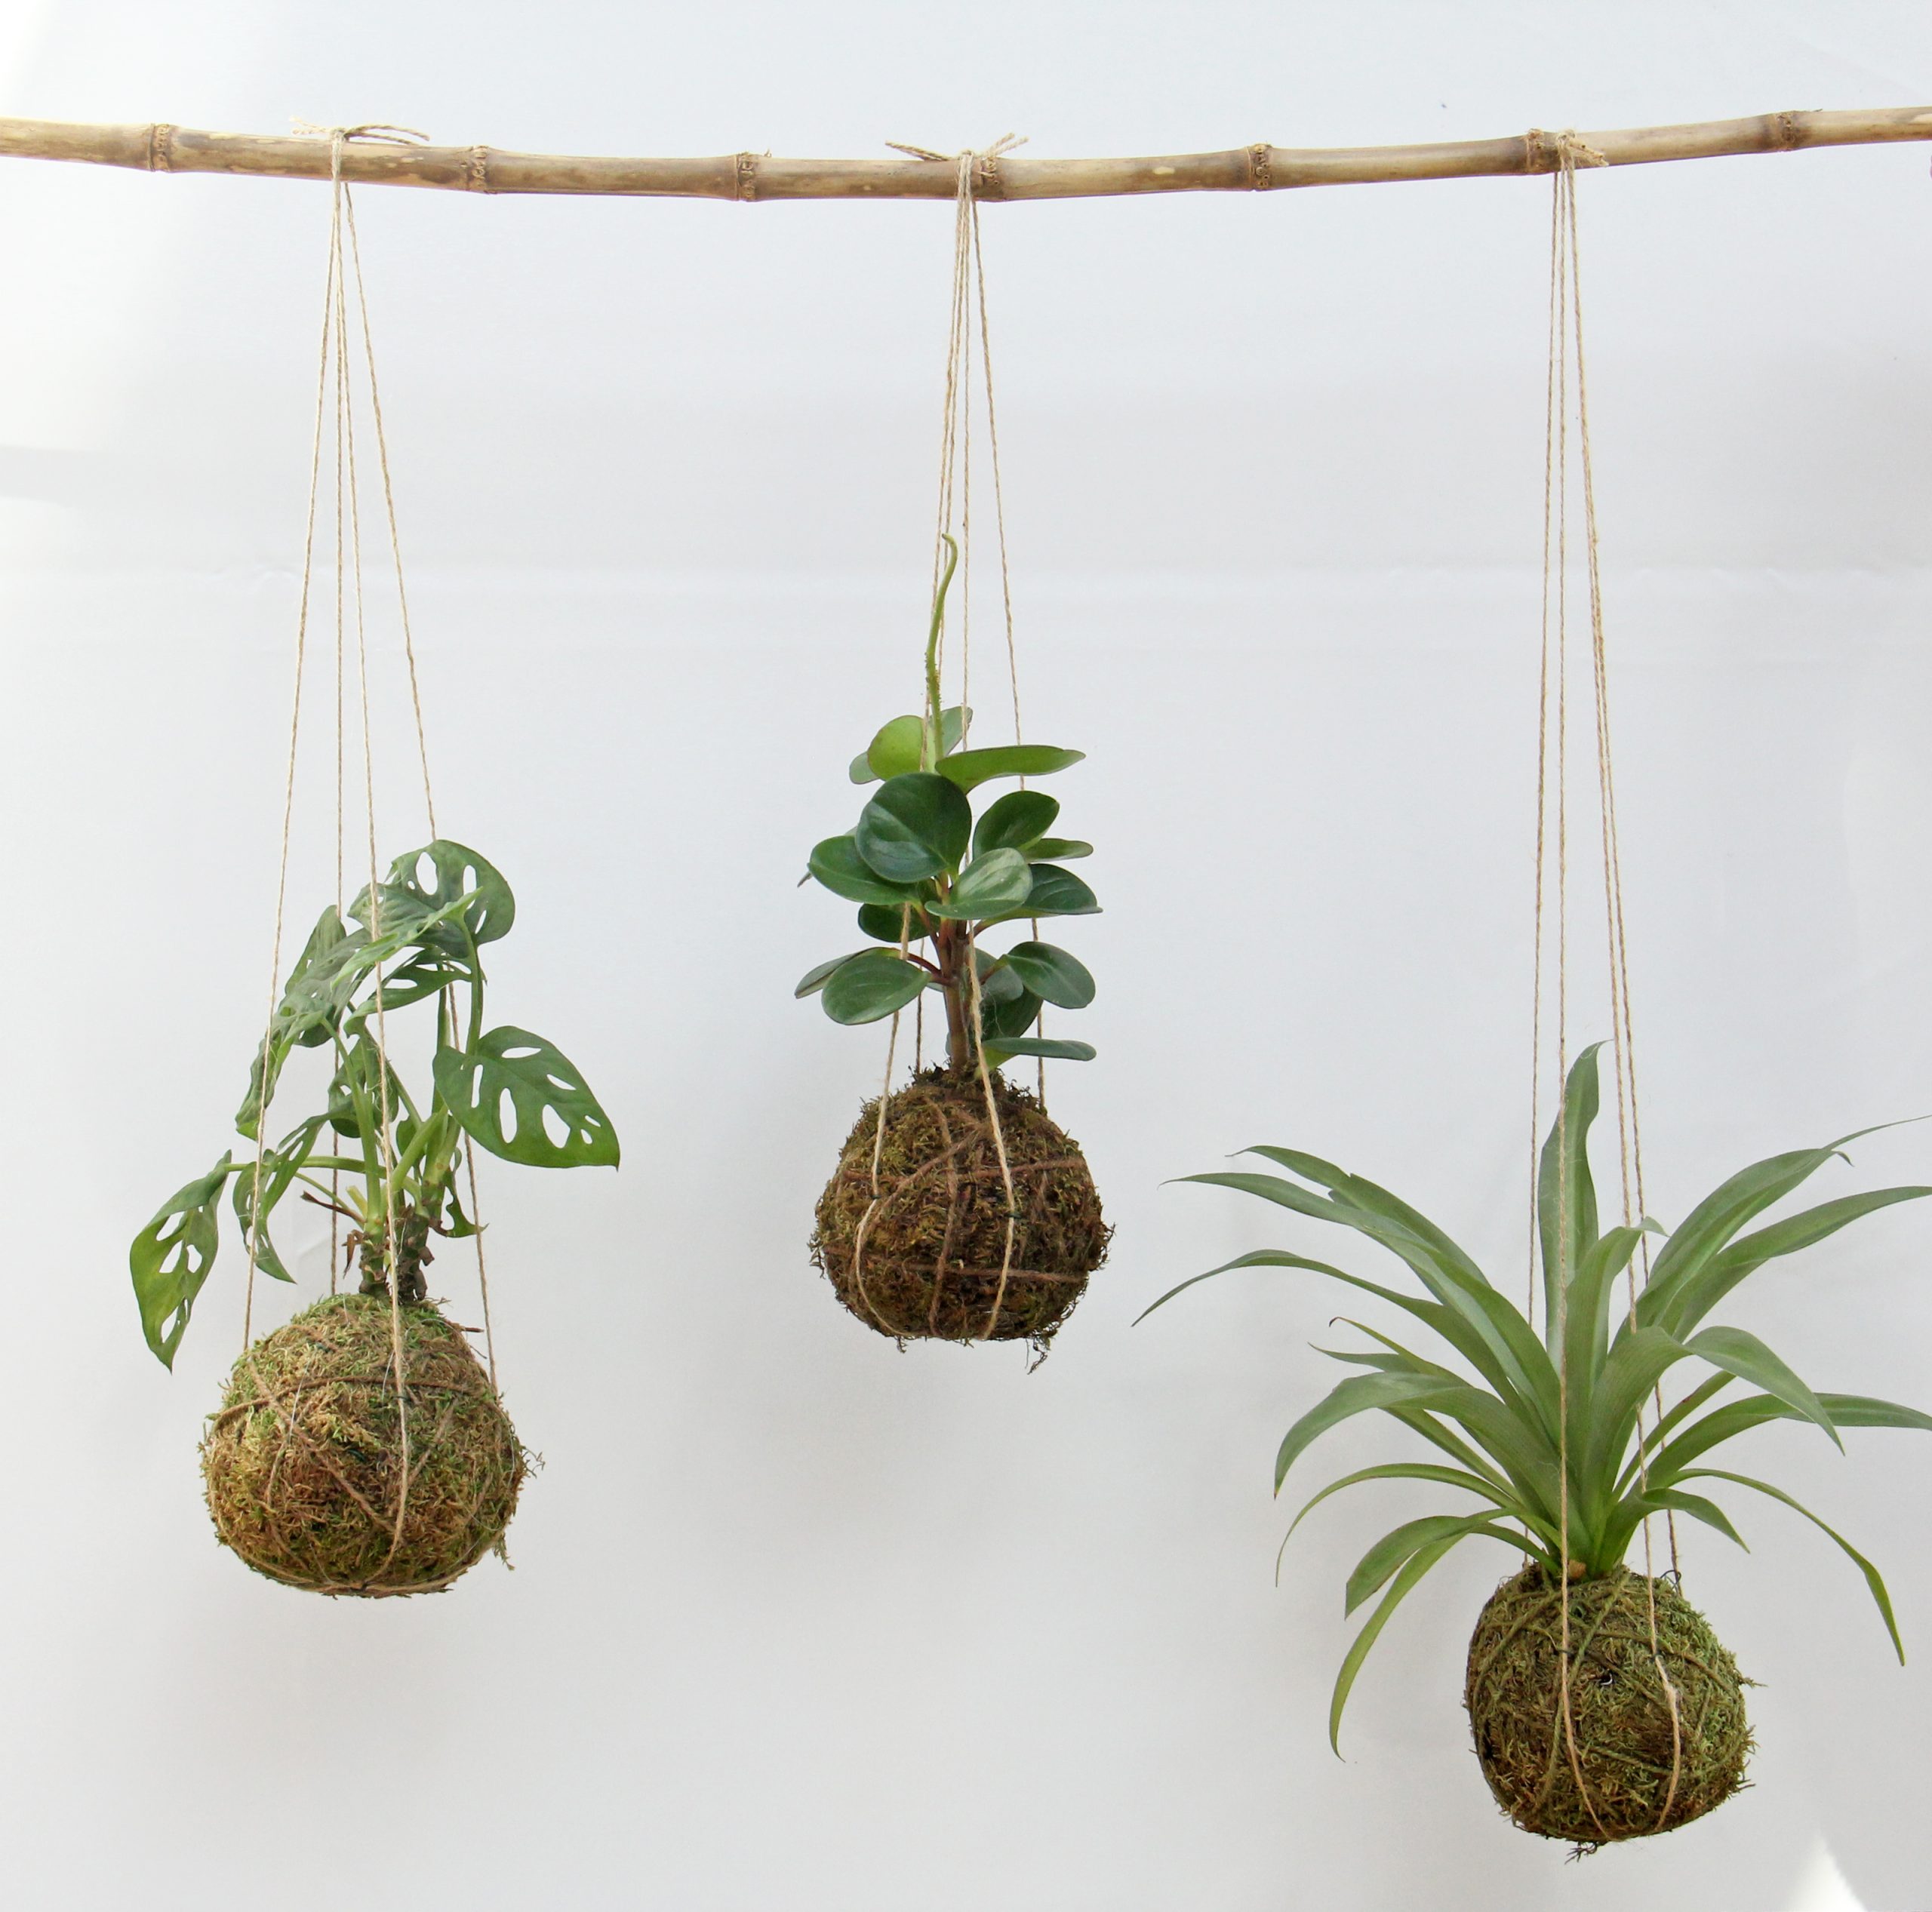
(1568, 351)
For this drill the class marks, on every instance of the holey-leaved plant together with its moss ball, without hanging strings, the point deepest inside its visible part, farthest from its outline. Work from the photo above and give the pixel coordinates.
(322, 1471)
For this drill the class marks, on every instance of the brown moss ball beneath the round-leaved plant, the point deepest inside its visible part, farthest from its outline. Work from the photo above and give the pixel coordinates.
(928, 1266)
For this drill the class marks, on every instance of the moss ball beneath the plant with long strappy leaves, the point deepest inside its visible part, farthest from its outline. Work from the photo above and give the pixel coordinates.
(1622, 1768)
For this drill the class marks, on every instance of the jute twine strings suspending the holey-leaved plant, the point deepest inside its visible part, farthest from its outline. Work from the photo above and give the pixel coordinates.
(335, 395)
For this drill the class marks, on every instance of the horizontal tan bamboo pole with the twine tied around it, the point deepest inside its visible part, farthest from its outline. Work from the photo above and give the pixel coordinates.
(749, 177)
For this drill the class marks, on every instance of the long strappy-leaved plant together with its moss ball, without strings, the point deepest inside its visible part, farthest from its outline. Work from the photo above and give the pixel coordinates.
(1603, 1704)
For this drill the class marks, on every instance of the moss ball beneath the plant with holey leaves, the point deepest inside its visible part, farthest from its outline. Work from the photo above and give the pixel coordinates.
(304, 1459)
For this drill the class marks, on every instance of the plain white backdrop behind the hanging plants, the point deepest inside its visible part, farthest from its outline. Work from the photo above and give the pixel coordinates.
(797, 1621)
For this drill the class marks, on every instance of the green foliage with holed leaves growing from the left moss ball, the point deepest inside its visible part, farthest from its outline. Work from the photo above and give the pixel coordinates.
(418, 938)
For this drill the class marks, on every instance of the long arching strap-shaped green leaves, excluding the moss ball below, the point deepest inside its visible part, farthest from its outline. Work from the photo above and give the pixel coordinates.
(1547, 1430)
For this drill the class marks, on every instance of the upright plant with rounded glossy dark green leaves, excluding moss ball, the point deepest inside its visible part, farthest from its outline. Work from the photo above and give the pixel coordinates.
(930, 880)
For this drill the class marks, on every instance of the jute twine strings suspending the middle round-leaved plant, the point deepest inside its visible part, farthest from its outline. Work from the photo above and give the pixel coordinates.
(969, 312)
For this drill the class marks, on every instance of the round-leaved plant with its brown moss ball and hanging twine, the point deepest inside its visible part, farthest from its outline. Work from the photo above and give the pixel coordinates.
(959, 1210)
